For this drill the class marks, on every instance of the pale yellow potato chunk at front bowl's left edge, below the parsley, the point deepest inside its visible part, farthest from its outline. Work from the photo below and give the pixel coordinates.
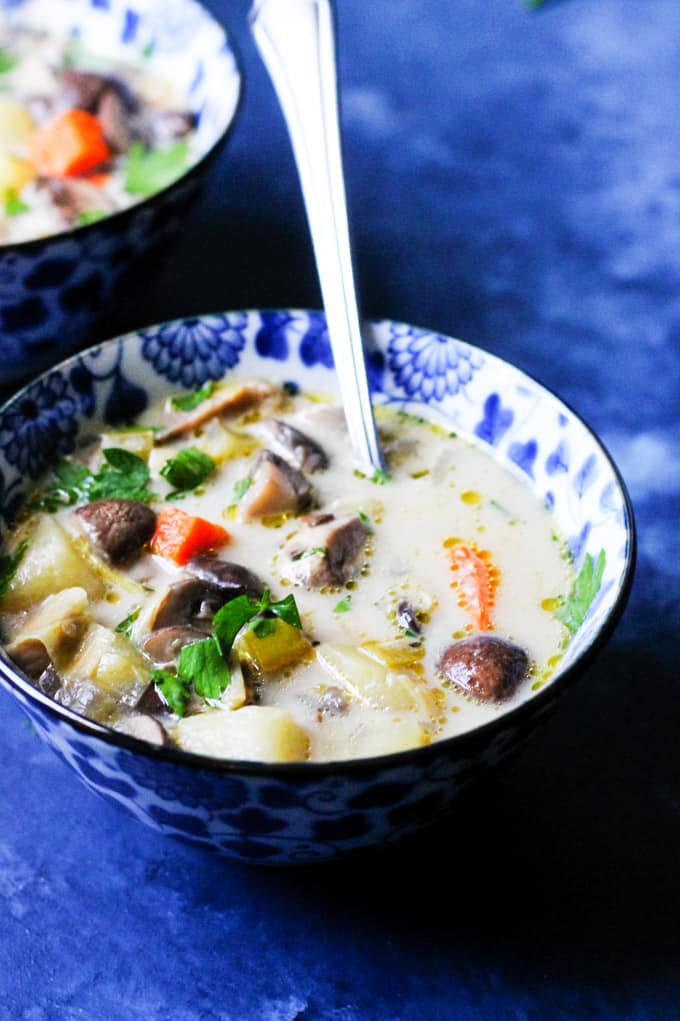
(51, 564)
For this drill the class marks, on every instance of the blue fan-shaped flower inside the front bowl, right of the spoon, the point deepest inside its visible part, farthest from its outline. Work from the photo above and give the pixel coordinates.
(428, 366)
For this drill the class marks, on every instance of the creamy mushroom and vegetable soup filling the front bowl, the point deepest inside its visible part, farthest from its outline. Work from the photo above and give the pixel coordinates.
(220, 577)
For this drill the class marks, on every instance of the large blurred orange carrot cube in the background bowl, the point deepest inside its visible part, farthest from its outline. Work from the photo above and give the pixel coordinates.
(70, 145)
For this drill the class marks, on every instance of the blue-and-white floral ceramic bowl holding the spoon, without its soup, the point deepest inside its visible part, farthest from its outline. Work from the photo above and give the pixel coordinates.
(300, 812)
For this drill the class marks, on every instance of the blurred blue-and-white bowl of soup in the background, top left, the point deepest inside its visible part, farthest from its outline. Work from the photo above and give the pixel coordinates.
(110, 118)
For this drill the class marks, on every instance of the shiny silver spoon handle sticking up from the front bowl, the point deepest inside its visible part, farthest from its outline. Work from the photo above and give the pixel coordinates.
(297, 41)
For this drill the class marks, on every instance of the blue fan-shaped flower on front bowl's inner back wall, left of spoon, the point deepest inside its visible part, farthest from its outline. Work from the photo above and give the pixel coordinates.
(193, 351)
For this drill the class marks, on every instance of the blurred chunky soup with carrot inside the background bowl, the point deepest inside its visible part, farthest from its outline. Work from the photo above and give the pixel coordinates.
(81, 137)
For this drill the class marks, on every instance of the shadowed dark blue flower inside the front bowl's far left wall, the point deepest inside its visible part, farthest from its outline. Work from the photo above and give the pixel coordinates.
(39, 425)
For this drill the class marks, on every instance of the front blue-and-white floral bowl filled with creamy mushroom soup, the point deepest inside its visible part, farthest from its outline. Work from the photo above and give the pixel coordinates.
(248, 644)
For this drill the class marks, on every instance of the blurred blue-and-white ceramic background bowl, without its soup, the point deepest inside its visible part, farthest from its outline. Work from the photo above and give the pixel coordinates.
(54, 290)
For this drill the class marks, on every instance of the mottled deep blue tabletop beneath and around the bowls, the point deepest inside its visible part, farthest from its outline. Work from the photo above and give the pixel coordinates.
(514, 178)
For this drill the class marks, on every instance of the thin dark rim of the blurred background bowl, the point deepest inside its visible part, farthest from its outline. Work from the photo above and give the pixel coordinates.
(121, 217)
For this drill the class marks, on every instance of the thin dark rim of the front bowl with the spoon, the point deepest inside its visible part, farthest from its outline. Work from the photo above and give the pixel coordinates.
(310, 770)
